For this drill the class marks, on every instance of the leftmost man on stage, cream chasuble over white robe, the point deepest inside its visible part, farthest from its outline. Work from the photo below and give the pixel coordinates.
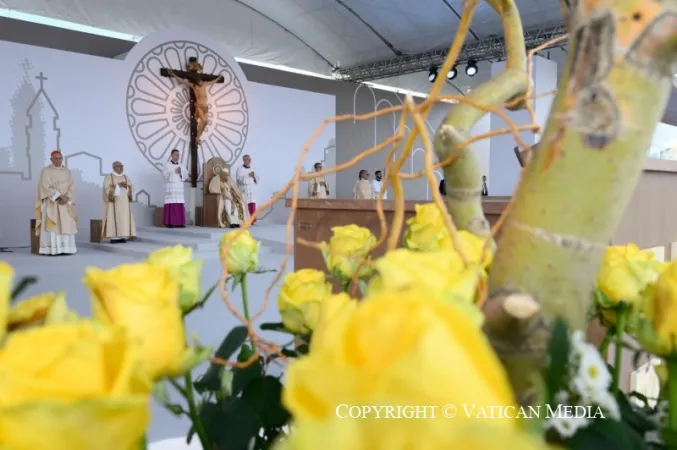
(56, 220)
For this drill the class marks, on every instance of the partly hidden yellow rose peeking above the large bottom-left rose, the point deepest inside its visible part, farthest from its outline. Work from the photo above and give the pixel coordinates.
(43, 309)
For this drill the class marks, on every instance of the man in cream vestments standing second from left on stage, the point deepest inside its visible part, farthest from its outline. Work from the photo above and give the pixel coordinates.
(118, 221)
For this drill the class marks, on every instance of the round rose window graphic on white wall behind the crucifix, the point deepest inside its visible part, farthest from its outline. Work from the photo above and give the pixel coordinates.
(158, 108)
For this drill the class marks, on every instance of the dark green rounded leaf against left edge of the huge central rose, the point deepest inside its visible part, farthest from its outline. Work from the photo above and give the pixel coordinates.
(264, 395)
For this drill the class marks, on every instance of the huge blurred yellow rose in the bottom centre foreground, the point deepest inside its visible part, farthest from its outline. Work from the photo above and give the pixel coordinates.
(387, 353)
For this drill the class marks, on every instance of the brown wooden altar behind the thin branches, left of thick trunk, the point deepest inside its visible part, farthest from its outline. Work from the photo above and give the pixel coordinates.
(315, 218)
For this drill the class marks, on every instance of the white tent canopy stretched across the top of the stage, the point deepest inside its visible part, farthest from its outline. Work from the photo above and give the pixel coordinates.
(312, 35)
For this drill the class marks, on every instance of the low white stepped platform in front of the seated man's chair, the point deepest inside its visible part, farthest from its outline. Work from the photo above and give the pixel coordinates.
(204, 241)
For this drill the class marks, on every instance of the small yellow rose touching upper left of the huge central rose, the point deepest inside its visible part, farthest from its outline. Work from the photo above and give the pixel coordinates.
(300, 298)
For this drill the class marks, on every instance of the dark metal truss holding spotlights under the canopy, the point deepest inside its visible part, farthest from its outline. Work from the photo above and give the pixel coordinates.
(484, 50)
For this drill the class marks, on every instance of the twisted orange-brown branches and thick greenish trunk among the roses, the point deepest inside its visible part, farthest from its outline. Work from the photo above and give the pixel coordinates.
(552, 232)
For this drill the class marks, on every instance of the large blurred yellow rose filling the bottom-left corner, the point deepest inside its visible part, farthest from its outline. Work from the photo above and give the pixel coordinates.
(71, 386)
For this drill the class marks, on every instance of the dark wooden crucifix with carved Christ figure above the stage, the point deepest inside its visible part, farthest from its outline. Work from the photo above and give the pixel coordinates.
(197, 83)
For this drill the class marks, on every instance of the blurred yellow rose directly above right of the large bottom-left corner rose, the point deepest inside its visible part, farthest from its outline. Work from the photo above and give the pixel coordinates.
(142, 298)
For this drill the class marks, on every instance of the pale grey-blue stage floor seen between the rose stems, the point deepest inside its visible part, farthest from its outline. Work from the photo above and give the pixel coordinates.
(210, 324)
